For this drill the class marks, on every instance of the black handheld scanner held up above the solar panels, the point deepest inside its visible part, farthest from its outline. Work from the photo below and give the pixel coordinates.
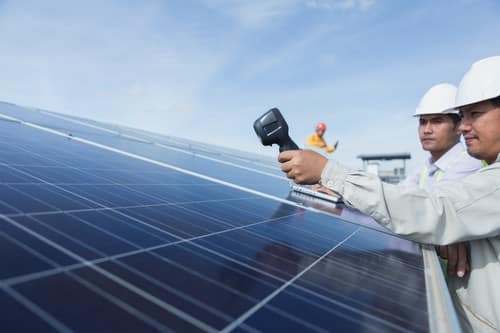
(271, 128)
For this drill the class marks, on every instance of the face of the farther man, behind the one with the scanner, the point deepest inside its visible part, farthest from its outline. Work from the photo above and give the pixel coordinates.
(437, 133)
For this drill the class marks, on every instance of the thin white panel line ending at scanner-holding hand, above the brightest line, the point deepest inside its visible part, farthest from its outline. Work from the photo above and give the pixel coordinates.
(166, 146)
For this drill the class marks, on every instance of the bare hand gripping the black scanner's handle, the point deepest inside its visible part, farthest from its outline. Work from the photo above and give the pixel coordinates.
(303, 166)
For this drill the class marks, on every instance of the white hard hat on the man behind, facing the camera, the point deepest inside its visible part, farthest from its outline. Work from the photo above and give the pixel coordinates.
(439, 99)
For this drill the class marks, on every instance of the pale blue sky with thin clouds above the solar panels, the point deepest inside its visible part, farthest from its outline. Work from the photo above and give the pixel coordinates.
(206, 69)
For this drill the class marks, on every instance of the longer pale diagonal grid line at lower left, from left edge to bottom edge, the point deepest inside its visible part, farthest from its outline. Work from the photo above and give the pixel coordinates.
(151, 298)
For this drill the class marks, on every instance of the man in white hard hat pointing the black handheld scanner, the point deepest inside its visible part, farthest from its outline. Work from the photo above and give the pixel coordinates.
(465, 210)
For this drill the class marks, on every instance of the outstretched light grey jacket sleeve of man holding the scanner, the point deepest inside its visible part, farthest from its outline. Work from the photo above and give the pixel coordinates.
(457, 211)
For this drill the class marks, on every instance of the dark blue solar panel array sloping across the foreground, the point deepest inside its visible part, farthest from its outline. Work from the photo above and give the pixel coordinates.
(101, 232)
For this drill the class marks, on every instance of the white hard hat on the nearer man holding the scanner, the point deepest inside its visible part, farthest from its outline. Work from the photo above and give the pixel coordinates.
(480, 83)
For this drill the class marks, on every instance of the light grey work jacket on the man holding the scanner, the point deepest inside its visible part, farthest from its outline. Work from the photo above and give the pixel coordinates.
(467, 210)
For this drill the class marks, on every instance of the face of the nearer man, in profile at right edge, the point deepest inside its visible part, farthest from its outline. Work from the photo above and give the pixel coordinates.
(481, 130)
